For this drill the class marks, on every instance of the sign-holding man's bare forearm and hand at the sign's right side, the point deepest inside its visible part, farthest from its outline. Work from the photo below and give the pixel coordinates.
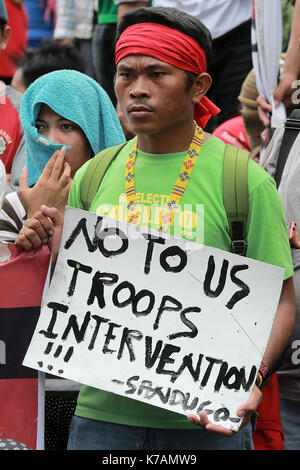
(280, 334)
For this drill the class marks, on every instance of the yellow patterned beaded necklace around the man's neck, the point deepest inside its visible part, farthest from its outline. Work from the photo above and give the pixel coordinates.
(173, 201)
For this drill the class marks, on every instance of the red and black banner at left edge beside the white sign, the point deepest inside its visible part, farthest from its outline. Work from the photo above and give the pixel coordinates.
(22, 279)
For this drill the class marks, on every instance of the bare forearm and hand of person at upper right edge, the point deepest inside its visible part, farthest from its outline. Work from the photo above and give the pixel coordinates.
(290, 73)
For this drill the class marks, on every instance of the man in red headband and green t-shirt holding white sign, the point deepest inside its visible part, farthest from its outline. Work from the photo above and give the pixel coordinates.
(161, 83)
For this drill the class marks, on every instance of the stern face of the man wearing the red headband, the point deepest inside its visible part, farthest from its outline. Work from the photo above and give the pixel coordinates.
(152, 94)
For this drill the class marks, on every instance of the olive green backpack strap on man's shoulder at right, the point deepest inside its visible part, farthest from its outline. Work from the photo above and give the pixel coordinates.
(235, 196)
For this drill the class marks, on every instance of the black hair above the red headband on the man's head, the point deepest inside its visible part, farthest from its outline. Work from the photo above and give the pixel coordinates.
(173, 18)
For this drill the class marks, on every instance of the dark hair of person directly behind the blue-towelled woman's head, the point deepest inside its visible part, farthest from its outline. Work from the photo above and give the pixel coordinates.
(48, 58)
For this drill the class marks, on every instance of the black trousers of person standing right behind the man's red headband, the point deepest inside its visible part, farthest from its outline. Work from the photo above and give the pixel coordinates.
(231, 62)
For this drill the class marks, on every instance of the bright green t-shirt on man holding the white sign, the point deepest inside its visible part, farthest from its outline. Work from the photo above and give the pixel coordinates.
(201, 218)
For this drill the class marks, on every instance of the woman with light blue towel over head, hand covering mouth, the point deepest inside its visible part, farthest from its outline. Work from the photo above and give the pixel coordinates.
(67, 118)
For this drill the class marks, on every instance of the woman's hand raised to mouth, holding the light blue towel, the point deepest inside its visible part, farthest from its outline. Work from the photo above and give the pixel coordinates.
(51, 189)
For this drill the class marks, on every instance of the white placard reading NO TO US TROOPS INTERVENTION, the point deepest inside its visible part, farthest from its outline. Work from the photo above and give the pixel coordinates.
(161, 320)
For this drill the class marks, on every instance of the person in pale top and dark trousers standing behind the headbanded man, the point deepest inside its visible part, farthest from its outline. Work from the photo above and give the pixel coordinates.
(229, 22)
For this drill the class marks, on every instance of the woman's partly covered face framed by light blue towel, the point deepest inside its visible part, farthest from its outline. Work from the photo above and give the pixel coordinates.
(62, 131)
